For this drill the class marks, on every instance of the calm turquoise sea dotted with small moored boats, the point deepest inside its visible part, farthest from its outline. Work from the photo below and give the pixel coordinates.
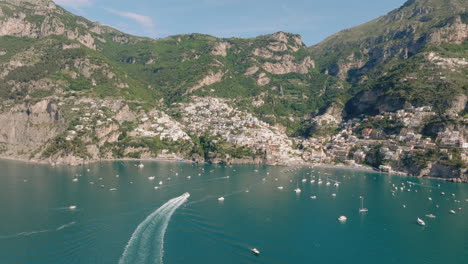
(121, 218)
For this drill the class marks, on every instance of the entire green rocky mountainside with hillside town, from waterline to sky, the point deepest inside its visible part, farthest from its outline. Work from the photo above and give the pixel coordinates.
(75, 91)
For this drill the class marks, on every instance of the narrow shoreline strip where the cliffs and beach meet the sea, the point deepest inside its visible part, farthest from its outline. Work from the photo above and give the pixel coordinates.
(360, 168)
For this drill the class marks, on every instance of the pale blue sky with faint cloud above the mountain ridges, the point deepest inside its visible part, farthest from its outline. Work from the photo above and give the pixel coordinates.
(314, 20)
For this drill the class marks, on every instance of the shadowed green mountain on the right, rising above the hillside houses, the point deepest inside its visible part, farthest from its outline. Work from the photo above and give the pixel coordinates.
(413, 55)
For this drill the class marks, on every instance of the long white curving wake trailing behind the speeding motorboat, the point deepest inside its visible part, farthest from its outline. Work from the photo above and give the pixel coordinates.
(146, 243)
